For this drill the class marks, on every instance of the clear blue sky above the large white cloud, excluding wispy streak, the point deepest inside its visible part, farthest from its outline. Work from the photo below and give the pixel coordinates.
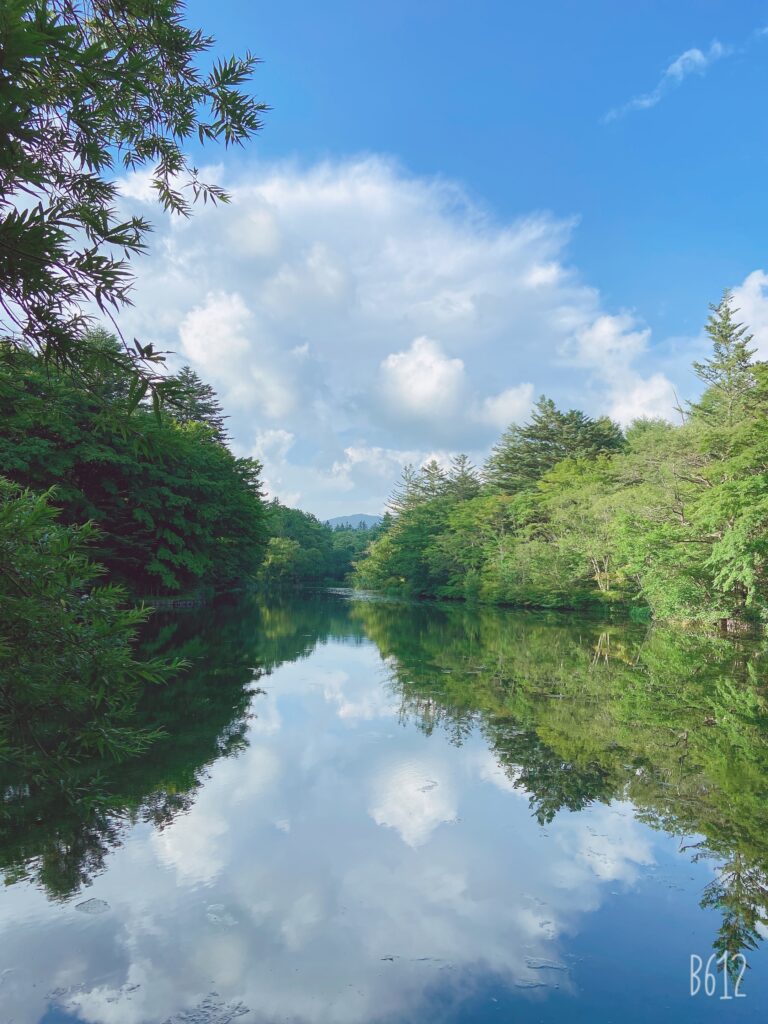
(508, 98)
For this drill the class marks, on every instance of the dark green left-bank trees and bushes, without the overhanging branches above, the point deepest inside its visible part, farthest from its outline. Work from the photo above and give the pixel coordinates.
(104, 506)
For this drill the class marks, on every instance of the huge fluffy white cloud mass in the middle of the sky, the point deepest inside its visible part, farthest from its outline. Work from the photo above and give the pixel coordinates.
(355, 318)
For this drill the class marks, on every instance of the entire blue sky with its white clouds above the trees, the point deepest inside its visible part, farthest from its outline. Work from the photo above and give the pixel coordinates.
(633, 136)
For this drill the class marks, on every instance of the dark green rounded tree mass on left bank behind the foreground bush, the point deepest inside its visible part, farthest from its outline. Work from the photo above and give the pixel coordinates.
(176, 509)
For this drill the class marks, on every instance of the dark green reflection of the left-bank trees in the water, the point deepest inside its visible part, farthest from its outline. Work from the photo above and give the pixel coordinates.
(58, 827)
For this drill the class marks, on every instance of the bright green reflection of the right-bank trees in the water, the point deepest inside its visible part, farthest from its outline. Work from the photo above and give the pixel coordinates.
(578, 712)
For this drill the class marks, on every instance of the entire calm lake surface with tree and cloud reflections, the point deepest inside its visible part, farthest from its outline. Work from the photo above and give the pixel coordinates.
(369, 812)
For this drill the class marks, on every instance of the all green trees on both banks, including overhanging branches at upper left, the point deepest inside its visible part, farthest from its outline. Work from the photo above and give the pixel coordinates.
(117, 481)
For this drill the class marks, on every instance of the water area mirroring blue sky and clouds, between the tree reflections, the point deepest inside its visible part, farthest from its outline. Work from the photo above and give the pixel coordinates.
(349, 867)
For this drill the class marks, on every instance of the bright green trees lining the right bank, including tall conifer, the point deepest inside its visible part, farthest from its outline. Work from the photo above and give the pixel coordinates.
(571, 511)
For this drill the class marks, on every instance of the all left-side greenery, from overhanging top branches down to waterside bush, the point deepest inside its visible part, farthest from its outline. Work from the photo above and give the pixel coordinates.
(117, 481)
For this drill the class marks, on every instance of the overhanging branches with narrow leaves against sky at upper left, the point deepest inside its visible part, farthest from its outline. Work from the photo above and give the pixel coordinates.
(87, 88)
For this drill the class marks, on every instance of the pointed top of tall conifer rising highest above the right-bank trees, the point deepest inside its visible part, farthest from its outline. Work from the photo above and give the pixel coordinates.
(729, 373)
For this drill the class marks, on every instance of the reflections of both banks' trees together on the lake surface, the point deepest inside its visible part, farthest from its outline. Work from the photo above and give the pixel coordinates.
(574, 711)
